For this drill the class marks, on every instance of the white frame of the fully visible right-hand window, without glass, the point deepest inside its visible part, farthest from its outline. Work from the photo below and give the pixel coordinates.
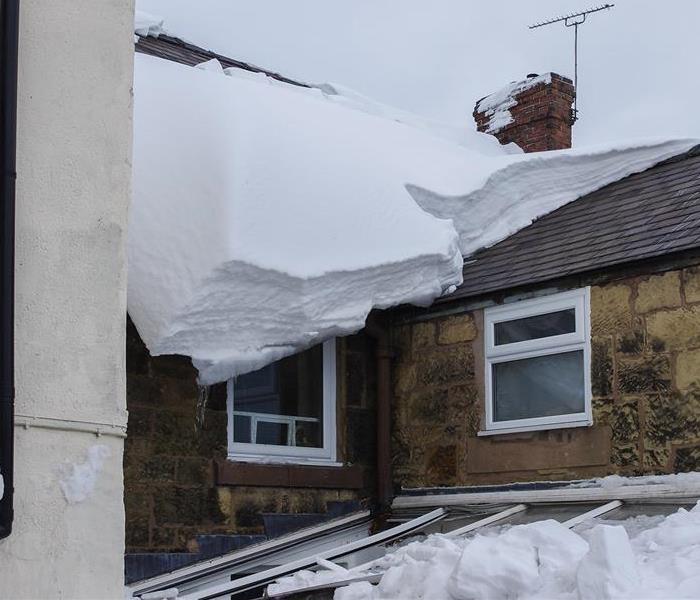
(580, 339)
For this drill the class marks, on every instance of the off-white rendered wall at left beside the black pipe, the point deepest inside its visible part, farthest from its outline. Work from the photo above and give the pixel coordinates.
(73, 189)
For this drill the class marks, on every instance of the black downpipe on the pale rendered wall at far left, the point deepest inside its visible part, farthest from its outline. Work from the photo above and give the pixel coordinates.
(9, 13)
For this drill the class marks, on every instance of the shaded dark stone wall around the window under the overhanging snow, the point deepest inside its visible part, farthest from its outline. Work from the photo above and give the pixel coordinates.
(173, 442)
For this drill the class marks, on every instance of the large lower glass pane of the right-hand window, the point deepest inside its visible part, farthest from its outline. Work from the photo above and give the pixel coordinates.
(543, 386)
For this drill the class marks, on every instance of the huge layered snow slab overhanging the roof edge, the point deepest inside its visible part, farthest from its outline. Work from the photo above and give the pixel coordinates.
(268, 217)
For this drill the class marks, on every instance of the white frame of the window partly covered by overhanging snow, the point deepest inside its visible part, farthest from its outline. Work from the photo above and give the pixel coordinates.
(268, 453)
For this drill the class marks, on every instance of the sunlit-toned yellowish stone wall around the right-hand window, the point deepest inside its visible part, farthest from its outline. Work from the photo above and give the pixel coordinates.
(645, 384)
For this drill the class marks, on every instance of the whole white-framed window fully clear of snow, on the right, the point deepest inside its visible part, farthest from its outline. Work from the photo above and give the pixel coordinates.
(538, 363)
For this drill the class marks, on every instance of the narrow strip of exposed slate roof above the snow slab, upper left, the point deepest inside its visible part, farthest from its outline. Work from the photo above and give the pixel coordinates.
(178, 50)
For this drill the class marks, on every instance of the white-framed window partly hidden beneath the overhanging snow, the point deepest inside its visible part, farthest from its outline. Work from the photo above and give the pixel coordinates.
(285, 412)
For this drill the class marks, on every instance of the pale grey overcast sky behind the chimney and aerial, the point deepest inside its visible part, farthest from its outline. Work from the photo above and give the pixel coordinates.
(639, 69)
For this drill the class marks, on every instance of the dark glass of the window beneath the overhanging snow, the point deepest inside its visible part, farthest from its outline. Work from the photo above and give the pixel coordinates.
(291, 388)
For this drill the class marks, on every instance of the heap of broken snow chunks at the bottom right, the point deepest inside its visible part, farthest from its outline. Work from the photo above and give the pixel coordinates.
(541, 560)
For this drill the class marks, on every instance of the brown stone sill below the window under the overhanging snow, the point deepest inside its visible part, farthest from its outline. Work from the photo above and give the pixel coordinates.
(292, 475)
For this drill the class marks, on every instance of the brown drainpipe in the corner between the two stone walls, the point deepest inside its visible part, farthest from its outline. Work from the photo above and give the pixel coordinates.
(384, 356)
